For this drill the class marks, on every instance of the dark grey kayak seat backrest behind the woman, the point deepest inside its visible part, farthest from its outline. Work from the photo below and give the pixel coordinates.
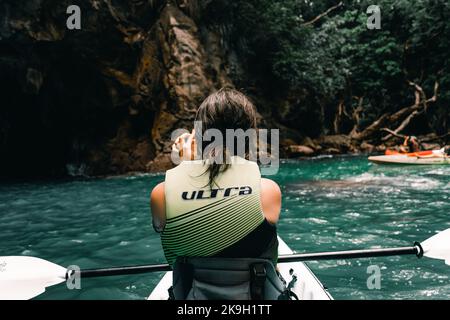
(228, 279)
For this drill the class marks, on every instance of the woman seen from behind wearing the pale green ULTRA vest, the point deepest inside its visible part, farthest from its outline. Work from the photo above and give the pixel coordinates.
(208, 209)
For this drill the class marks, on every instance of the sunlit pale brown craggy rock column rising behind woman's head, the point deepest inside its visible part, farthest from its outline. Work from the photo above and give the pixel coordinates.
(186, 81)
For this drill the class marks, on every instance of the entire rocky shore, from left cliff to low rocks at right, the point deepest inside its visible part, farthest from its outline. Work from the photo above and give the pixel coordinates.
(105, 99)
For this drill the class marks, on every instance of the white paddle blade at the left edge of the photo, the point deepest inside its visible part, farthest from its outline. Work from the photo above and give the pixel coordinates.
(23, 278)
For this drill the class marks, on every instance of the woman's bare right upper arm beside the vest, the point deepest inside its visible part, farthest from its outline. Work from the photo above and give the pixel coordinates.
(270, 200)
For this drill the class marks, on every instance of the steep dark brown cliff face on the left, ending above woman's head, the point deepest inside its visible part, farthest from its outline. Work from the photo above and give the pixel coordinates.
(104, 98)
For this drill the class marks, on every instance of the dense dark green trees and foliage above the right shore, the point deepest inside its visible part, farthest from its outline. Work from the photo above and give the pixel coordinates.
(335, 63)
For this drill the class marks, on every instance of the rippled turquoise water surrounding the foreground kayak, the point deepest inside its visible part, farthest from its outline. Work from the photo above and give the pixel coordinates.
(328, 203)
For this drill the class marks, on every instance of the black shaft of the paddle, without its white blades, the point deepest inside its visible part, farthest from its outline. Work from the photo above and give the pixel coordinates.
(335, 255)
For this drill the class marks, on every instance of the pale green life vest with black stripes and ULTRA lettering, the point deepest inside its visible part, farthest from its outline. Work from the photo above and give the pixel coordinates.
(224, 220)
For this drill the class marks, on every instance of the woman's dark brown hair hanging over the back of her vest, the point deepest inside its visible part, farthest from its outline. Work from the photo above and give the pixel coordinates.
(222, 110)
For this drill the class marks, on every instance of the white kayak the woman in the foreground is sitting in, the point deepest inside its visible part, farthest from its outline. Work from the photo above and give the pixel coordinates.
(307, 287)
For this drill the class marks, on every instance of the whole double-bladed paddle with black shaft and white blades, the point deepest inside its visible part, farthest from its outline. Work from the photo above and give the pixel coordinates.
(24, 277)
